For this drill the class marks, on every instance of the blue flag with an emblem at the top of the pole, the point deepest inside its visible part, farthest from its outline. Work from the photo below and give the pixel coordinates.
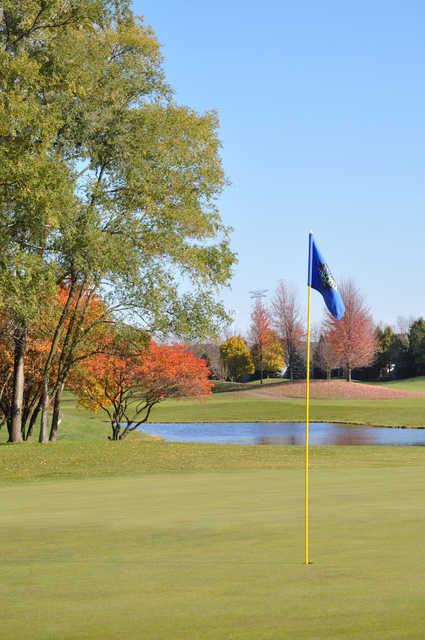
(321, 279)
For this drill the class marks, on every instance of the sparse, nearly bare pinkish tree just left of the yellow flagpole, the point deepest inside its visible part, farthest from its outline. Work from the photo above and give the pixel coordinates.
(287, 323)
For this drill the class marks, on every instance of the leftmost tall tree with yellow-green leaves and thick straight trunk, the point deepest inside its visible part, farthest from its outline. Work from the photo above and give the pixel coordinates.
(36, 191)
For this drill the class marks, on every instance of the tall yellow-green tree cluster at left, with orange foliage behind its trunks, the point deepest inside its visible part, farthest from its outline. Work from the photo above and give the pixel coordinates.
(107, 201)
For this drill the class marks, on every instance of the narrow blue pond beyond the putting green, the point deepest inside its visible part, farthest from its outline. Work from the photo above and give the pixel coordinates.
(284, 433)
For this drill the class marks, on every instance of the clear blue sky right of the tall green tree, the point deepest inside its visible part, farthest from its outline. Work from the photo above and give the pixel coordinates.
(322, 108)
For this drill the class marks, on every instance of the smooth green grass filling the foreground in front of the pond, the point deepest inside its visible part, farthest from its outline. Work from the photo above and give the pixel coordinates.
(216, 552)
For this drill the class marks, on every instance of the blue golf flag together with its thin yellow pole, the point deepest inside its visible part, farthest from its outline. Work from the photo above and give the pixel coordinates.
(321, 279)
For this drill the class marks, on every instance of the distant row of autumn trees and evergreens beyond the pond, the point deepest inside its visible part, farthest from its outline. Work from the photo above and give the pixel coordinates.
(351, 347)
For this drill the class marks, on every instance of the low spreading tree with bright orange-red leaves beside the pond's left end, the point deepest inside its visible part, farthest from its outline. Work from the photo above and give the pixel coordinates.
(127, 387)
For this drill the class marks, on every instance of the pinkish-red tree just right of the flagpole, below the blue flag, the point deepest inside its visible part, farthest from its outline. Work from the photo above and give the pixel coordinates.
(352, 338)
